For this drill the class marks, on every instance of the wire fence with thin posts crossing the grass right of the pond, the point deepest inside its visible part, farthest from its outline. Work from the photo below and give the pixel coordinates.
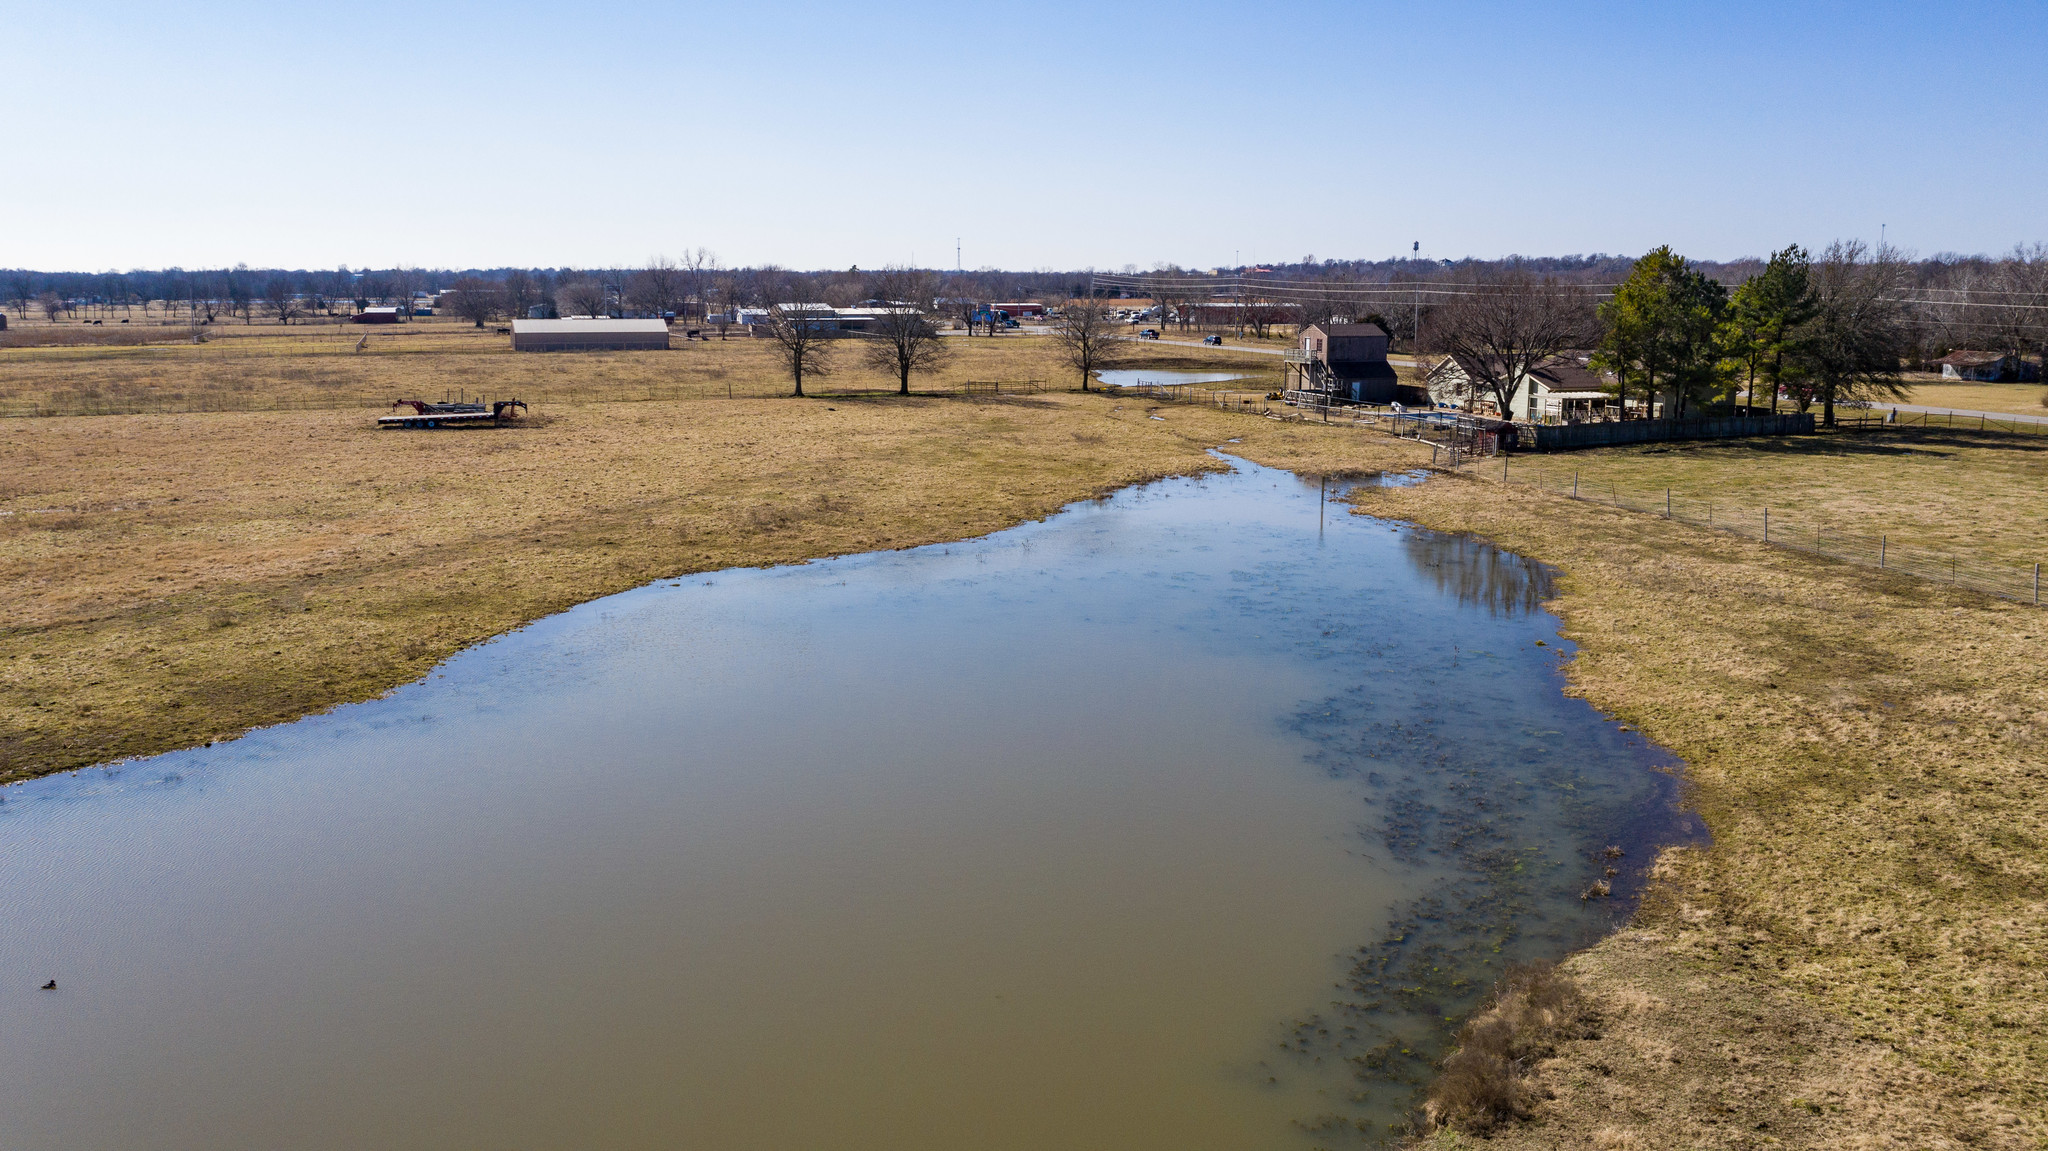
(1947, 566)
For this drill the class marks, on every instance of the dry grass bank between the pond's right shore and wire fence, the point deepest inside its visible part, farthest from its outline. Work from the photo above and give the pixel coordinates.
(1857, 962)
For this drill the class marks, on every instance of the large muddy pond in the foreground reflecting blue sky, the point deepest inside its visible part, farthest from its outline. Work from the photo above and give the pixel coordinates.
(1168, 822)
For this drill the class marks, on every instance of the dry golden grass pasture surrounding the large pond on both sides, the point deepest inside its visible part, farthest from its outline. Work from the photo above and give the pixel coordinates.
(1852, 964)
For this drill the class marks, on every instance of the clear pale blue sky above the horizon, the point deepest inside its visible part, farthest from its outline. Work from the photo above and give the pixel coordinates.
(1041, 134)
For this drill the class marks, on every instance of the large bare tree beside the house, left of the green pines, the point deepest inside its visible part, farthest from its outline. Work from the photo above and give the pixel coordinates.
(1510, 327)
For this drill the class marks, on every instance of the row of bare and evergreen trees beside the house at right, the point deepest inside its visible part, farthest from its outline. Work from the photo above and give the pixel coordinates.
(1803, 329)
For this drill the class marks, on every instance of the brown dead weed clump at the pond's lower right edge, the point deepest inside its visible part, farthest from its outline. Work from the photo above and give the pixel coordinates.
(1486, 1082)
